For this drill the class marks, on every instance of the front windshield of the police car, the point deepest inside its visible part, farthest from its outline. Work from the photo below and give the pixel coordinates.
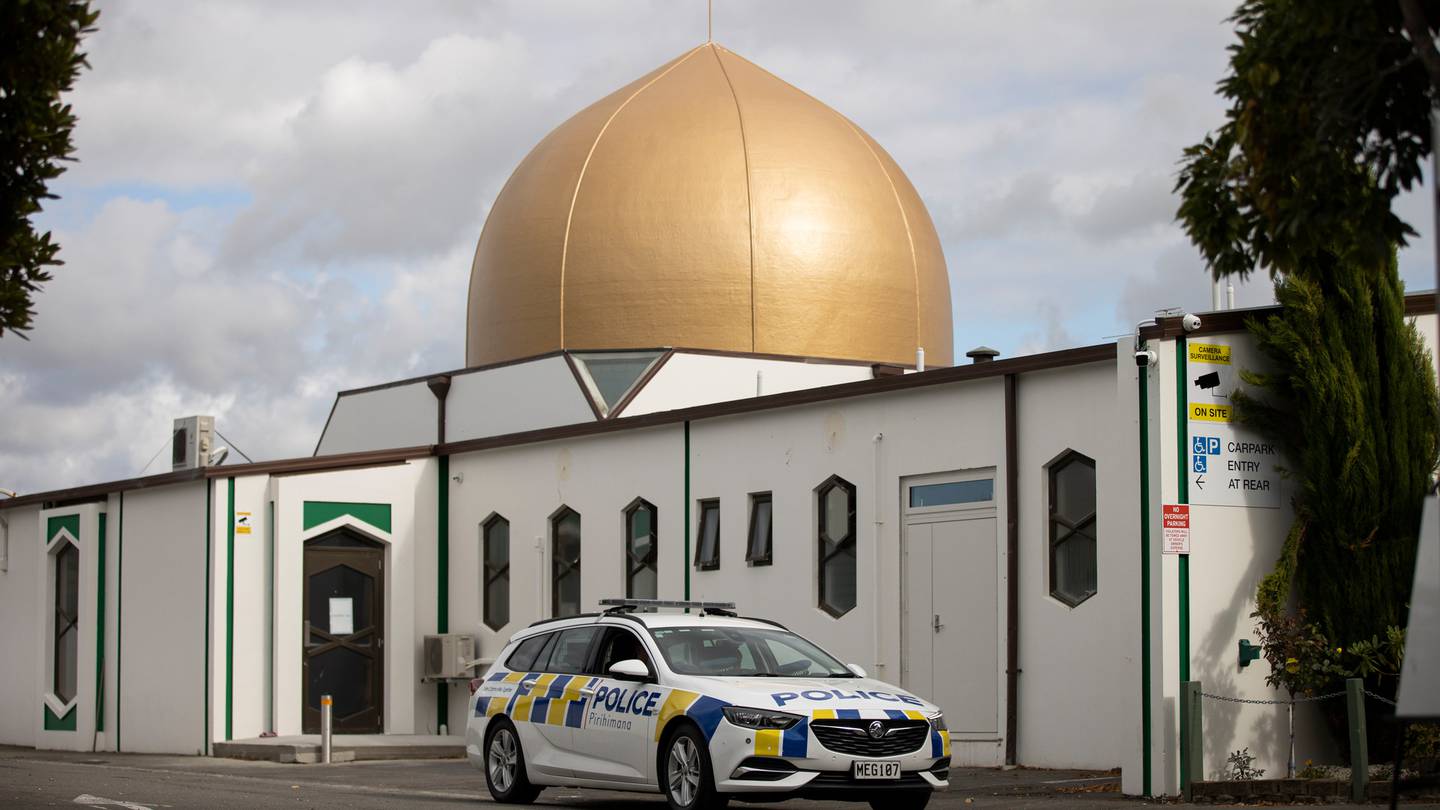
(745, 652)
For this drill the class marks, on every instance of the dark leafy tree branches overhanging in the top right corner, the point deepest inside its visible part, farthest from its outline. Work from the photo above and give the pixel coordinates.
(1328, 120)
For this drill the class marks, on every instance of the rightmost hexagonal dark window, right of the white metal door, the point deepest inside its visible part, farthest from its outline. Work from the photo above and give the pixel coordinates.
(1074, 577)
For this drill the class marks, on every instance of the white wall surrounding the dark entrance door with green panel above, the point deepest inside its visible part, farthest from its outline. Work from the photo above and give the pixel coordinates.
(410, 584)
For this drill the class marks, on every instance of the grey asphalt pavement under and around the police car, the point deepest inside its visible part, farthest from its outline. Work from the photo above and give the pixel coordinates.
(139, 782)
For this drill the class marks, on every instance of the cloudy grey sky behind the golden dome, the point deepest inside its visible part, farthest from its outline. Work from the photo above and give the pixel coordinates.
(276, 201)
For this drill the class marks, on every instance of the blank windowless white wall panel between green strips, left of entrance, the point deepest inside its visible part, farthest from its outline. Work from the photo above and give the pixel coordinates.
(162, 629)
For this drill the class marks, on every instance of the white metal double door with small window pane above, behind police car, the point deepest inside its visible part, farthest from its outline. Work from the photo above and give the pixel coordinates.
(951, 626)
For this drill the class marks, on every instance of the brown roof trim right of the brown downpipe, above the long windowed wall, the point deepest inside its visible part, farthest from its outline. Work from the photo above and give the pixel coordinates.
(1104, 352)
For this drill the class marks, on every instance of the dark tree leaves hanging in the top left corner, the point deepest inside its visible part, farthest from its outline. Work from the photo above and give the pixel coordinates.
(40, 60)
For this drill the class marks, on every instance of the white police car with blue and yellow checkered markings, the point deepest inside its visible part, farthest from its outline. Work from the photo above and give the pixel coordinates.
(702, 707)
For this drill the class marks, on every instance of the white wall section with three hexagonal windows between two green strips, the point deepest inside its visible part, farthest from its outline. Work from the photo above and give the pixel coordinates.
(598, 478)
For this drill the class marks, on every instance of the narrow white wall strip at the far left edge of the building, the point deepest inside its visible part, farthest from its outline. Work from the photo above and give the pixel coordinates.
(21, 633)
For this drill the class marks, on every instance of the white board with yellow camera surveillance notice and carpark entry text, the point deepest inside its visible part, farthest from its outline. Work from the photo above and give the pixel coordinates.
(1229, 465)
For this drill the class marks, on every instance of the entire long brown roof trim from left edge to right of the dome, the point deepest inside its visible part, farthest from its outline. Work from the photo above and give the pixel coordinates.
(1102, 352)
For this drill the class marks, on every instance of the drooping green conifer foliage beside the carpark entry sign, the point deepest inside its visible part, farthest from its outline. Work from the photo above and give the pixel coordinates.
(1353, 404)
